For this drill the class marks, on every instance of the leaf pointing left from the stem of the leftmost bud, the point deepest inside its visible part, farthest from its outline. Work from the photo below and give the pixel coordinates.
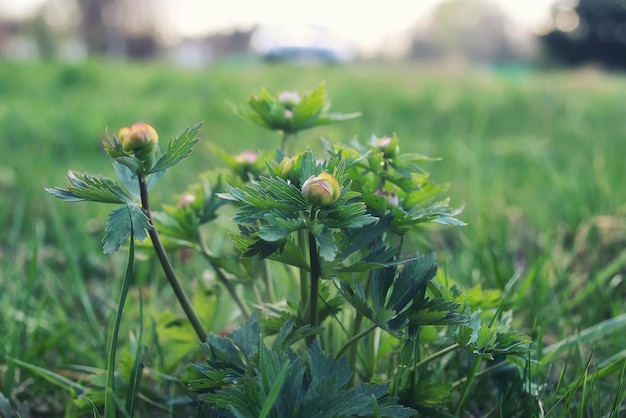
(85, 187)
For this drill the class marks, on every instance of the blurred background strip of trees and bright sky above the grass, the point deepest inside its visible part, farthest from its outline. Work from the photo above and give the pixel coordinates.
(195, 33)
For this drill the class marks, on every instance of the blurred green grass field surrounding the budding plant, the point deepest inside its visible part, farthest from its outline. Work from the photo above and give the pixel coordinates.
(537, 159)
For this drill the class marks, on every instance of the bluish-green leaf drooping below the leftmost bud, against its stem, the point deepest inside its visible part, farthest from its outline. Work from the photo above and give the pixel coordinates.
(121, 222)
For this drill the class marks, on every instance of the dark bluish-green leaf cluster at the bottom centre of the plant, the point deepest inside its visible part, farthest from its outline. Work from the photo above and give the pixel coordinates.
(245, 378)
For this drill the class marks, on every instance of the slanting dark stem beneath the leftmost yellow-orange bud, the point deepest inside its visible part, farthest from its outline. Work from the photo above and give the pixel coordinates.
(167, 265)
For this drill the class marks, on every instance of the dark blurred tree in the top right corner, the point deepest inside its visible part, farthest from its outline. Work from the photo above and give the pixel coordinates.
(588, 31)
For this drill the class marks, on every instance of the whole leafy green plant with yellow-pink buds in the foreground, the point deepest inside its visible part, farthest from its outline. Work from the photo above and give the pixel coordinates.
(325, 267)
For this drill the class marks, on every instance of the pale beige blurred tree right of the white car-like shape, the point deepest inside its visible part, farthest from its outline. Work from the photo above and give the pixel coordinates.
(473, 30)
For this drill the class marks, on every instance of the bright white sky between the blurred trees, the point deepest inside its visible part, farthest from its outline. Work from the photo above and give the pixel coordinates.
(367, 24)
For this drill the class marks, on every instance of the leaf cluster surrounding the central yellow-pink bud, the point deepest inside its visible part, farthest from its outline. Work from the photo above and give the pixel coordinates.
(272, 208)
